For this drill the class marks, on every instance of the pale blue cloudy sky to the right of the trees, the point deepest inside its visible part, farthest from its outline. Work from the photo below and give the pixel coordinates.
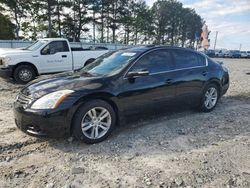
(231, 18)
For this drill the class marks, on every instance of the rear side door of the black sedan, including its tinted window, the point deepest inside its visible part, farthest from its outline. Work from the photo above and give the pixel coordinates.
(192, 72)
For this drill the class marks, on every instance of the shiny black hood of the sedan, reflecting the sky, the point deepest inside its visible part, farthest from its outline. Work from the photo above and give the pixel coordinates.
(68, 80)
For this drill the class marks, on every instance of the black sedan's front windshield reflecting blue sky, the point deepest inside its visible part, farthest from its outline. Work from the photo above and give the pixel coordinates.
(110, 63)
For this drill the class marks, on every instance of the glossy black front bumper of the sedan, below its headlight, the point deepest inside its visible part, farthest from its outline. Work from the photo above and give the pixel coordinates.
(41, 122)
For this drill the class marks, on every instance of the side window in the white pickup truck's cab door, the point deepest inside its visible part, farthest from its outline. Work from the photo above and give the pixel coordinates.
(55, 47)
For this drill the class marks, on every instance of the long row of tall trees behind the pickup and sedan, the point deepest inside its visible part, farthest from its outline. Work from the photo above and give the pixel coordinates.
(111, 21)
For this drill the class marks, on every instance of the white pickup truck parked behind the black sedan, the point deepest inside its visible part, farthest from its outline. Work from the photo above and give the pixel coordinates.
(50, 55)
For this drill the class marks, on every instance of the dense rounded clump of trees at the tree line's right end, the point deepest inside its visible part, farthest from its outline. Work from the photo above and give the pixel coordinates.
(174, 24)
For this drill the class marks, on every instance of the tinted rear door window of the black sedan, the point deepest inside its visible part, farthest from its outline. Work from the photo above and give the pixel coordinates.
(187, 59)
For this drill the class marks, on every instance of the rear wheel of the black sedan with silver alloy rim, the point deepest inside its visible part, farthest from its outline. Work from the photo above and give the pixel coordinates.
(210, 98)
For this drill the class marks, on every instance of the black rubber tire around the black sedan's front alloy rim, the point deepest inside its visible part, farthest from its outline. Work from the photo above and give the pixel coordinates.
(81, 113)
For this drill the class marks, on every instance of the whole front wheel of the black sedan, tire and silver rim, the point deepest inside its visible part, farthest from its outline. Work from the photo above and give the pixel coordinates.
(94, 121)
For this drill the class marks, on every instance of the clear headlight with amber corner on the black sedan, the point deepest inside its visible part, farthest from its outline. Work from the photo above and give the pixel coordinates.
(51, 100)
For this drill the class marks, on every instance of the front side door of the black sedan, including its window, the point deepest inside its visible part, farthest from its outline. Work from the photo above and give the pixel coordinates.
(145, 92)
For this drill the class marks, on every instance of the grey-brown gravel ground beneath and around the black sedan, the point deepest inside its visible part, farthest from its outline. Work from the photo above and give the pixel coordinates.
(177, 148)
